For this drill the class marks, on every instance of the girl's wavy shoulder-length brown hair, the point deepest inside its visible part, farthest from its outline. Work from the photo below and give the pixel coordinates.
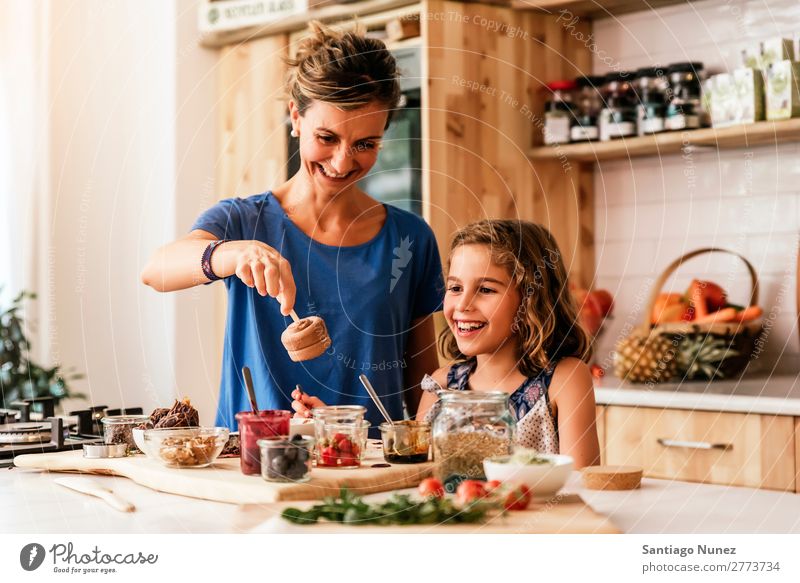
(547, 319)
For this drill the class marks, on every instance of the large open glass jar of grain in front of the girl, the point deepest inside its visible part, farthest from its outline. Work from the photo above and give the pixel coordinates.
(469, 427)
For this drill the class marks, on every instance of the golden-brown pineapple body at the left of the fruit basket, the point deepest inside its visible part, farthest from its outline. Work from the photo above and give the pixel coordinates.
(644, 357)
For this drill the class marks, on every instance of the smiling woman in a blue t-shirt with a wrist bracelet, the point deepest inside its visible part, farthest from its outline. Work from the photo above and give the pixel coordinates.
(320, 245)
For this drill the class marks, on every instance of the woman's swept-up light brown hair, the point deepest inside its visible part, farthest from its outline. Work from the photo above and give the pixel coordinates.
(346, 69)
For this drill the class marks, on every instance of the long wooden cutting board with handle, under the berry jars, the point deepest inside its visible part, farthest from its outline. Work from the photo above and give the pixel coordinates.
(224, 482)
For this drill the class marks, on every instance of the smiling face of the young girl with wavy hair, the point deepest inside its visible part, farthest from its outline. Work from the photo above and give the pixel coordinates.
(481, 301)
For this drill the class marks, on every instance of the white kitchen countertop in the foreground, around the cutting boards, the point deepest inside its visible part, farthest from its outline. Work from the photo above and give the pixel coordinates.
(34, 503)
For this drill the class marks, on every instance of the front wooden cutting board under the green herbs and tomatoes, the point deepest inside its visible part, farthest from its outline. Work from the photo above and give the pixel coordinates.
(564, 514)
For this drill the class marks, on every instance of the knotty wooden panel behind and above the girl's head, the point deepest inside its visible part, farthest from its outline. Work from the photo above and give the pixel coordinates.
(487, 67)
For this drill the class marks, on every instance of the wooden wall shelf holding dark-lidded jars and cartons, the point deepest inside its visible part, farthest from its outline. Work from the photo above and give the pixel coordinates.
(763, 133)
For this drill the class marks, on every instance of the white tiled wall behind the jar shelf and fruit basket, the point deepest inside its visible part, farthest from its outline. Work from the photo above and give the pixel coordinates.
(650, 211)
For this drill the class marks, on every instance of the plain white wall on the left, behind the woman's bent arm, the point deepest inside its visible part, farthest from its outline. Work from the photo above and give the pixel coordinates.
(131, 162)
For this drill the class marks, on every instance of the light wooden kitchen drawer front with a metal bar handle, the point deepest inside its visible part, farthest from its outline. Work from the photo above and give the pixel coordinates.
(737, 449)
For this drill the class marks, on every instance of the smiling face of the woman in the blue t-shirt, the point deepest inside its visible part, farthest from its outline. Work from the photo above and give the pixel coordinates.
(338, 148)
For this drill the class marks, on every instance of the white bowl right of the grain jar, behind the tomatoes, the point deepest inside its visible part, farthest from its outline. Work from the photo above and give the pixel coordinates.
(544, 480)
